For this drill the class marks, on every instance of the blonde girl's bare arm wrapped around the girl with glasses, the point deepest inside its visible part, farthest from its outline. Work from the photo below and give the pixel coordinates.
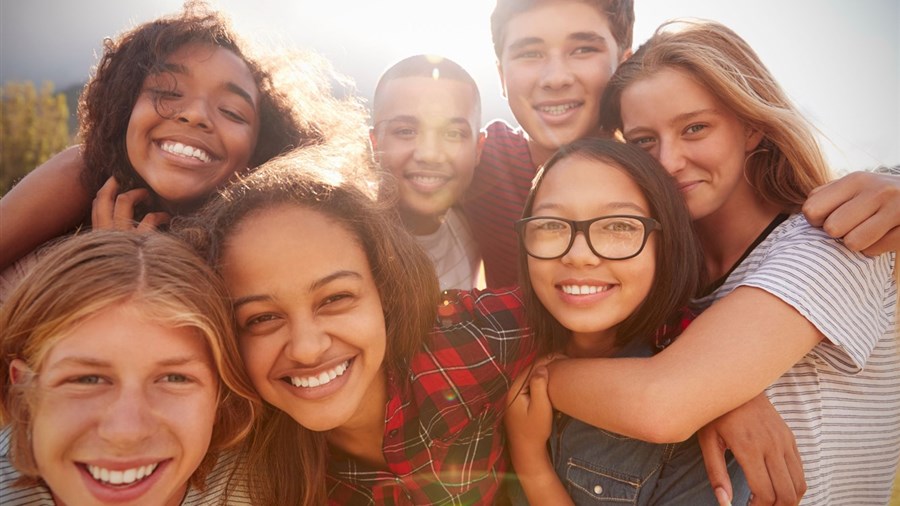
(728, 355)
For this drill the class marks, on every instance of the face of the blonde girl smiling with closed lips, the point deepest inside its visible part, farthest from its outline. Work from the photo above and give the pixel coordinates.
(695, 137)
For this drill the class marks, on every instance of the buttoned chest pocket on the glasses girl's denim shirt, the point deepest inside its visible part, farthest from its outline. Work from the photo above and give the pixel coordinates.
(589, 484)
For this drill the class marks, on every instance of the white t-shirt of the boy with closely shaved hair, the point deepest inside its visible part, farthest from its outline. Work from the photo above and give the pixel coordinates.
(453, 252)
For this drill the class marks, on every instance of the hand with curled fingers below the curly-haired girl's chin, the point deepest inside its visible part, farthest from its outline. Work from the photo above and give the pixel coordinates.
(114, 210)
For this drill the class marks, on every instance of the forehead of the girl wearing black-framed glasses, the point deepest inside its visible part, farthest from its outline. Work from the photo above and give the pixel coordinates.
(580, 182)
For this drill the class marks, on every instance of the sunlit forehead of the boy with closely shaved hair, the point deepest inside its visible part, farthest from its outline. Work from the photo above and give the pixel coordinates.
(426, 99)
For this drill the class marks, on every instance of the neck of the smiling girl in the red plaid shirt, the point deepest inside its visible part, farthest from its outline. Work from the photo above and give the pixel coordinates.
(362, 437)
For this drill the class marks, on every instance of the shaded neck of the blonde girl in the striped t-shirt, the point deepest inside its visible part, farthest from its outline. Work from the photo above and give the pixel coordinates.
(726, 234)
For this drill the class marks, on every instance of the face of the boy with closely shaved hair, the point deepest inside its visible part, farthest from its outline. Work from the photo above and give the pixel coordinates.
(426, 134)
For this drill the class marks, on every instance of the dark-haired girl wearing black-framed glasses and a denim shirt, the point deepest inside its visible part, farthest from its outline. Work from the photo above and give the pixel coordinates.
(608, 260)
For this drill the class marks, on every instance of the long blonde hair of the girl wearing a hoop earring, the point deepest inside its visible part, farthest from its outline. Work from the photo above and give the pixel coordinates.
(788, 163)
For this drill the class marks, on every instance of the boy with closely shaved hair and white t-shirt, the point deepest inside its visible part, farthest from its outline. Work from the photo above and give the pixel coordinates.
(426, 118)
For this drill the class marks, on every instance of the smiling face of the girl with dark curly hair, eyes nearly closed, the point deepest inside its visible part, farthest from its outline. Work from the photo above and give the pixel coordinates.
(208, 128)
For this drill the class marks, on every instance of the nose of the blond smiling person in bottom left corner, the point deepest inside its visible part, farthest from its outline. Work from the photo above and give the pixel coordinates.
(128, 419)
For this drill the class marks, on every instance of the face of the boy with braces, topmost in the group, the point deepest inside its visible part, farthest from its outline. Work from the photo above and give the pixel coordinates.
(556, 61)
